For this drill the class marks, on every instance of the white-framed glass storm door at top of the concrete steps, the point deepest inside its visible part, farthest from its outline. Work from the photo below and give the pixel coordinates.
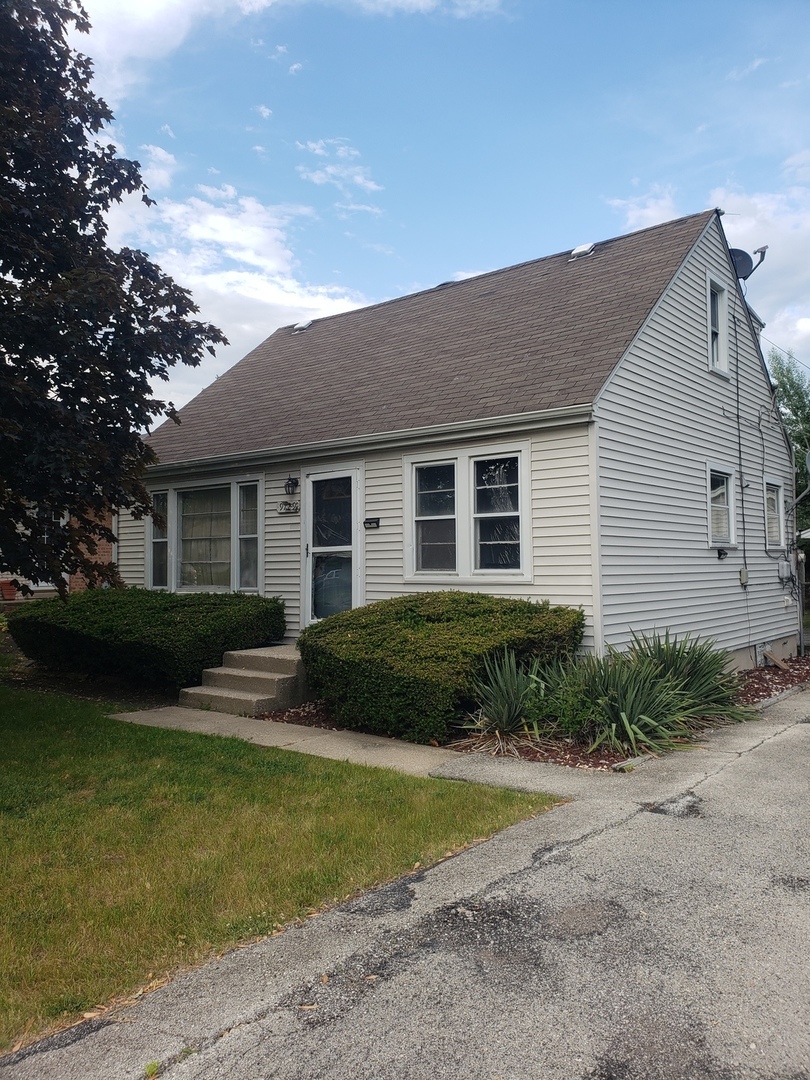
(332, 544)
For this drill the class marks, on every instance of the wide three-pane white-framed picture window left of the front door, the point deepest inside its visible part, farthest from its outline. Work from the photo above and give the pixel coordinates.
(210, 541)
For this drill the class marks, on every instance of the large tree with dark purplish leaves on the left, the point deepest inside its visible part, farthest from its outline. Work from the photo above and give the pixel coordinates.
(84, 328)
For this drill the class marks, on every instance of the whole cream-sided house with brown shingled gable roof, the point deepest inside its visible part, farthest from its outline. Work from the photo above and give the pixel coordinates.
(597, 428)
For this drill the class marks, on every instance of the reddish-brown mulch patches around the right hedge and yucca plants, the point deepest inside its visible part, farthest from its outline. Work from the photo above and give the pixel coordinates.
(759, 685)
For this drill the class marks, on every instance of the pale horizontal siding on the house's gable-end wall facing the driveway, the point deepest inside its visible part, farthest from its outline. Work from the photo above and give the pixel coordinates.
(665, 418)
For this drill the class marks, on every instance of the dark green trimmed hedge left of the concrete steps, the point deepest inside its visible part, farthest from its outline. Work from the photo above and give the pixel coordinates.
(137, 634)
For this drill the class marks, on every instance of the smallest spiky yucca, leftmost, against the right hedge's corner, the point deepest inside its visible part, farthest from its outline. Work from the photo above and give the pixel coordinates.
(502, 720)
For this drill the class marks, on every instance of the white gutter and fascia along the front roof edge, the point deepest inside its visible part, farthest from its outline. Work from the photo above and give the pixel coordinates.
(436, 436)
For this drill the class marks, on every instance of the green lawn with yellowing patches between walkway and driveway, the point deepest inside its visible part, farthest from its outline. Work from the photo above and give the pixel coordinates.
(127, 853)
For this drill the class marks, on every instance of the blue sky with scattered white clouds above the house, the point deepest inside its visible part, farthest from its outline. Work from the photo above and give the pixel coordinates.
(308, 157)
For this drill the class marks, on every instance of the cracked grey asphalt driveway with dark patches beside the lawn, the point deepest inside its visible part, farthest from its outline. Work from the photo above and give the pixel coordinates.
(657, 927)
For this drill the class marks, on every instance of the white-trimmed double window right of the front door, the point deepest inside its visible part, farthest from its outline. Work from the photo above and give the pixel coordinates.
(468, 515)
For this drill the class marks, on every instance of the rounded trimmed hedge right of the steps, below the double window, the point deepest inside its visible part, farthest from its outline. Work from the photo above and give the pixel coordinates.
(407, 667)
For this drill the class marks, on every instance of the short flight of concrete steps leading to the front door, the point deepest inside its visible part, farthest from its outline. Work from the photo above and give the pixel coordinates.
(251, 682)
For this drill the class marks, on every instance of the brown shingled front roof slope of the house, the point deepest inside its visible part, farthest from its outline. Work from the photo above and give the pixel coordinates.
(542, 335)
